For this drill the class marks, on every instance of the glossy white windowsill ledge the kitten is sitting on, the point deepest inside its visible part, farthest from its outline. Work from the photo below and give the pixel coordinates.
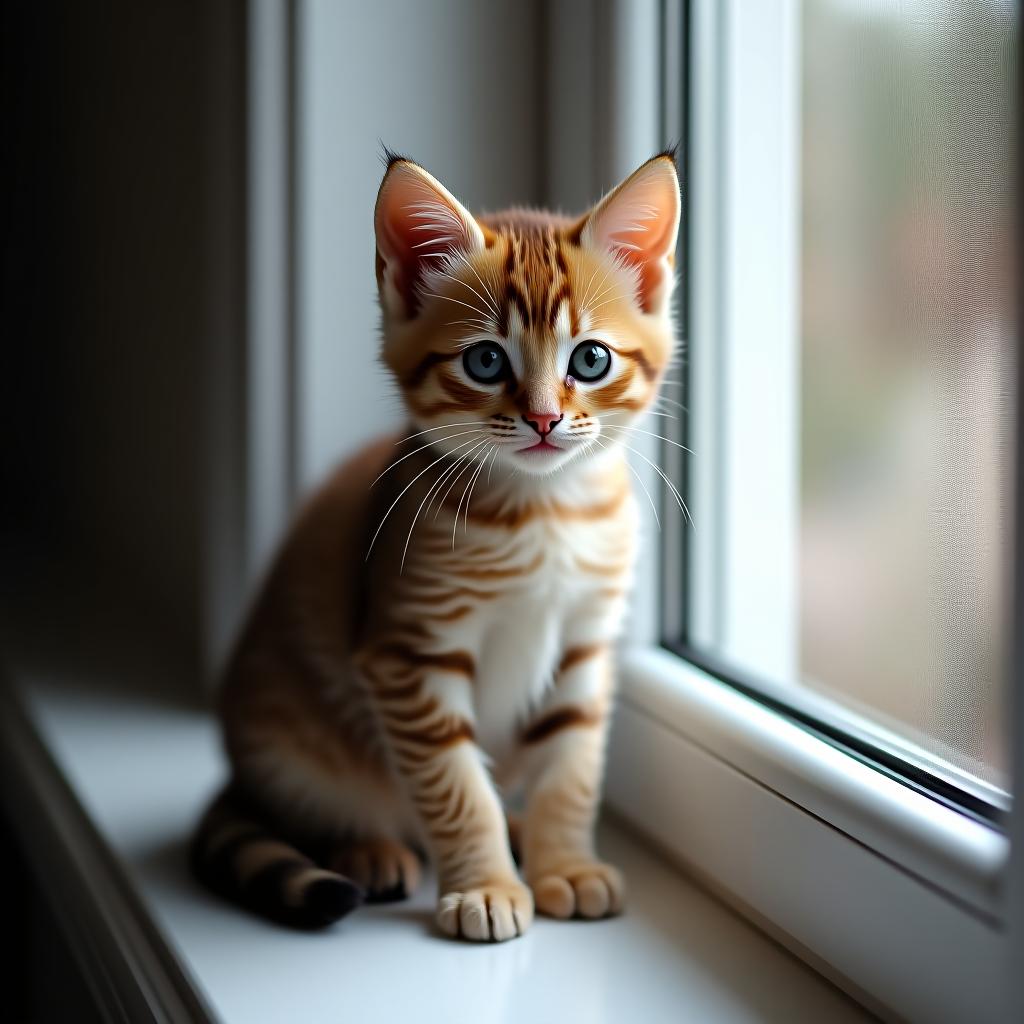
(142, 766)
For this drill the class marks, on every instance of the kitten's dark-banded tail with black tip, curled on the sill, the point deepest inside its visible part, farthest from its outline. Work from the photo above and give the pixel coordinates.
(240, 859)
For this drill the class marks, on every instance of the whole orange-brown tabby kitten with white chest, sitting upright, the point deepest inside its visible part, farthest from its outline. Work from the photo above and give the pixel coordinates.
(438, 630)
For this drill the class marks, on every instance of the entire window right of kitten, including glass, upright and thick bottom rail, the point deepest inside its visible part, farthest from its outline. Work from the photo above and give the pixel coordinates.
(825, 733)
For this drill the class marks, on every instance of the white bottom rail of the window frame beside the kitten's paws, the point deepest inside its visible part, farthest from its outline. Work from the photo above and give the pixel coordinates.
(893, 897)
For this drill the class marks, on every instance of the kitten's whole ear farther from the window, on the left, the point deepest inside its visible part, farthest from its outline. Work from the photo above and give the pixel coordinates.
(419, 225)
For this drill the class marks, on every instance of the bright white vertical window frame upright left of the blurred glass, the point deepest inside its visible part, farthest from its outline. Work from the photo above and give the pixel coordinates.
(744, 356)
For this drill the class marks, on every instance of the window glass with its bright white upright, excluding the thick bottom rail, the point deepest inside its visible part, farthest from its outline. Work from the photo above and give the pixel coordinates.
(850, 400)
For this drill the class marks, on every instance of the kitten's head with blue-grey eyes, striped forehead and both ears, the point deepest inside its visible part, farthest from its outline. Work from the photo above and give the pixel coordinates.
(526, 337)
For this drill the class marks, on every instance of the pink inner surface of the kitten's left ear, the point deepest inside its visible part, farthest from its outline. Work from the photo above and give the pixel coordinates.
(417, 229)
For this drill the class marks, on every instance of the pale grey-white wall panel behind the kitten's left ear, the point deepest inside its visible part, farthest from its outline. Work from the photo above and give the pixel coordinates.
(457, 86)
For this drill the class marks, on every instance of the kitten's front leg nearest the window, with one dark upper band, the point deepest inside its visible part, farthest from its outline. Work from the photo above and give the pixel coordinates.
(566, 762)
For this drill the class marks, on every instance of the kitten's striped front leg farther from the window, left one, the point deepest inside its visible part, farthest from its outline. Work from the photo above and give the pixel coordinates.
(424, 705)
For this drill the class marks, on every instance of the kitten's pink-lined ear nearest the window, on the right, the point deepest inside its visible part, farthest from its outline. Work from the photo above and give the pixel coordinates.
(638, 224)
